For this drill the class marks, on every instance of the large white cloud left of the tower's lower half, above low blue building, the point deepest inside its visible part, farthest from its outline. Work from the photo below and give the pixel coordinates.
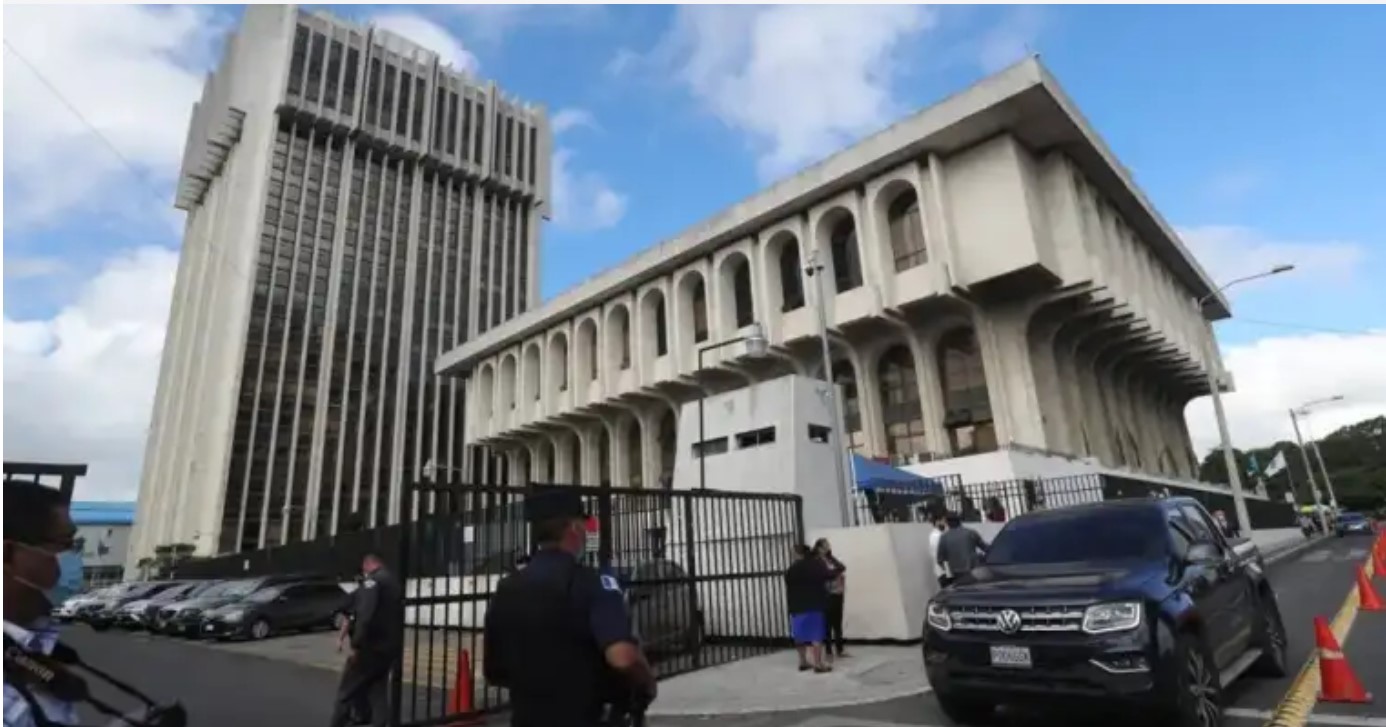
(80, 387)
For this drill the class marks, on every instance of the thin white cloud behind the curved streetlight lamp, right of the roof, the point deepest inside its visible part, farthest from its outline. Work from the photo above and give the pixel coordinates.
(1231, 251)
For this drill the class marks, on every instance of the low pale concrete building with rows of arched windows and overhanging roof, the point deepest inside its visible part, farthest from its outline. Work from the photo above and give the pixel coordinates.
(992, 279)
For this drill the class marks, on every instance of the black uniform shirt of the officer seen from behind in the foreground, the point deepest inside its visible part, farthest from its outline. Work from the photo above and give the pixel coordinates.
(547, 632)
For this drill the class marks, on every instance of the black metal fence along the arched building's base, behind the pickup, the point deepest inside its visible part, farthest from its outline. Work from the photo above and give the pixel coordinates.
(1001, 501)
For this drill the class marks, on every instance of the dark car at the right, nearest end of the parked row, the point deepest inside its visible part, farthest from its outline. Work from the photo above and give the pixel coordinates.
(288, 607)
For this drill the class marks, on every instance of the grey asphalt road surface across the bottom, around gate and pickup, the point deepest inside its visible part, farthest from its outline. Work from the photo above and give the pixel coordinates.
(224, 689)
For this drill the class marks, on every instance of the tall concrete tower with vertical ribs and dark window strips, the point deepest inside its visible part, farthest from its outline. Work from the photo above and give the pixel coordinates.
(354, 210)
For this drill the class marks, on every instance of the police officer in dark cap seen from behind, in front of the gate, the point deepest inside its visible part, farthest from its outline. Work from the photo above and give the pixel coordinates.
(558, 634)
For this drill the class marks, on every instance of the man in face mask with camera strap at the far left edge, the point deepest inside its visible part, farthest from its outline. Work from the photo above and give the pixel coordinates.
(42, 568)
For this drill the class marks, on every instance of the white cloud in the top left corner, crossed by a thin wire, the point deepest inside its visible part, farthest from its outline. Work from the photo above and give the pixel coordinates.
(98, 57)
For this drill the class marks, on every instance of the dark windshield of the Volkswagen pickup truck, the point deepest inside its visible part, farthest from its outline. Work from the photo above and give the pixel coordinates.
(1082, 535)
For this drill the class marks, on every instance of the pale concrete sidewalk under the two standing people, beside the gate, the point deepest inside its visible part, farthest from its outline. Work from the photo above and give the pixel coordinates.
(774, 683)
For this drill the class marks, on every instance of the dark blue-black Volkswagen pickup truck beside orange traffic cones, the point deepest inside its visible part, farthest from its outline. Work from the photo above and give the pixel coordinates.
(1139, 606)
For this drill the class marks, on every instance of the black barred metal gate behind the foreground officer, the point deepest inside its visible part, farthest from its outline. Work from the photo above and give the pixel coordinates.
(702, 573)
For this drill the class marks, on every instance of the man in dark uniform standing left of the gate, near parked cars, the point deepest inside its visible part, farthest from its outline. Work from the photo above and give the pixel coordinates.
(376, 638)
